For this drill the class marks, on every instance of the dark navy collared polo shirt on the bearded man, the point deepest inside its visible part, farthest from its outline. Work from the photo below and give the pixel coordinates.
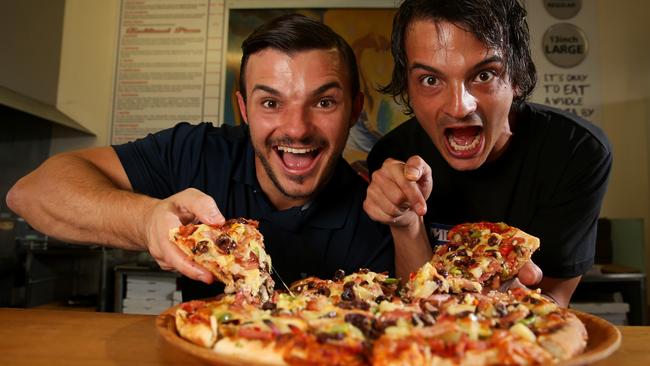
(332, 232)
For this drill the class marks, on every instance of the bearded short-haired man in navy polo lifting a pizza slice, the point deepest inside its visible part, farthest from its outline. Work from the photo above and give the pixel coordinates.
(299, 95)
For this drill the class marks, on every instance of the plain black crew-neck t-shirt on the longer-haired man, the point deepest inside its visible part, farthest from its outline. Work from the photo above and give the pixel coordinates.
(550, 182)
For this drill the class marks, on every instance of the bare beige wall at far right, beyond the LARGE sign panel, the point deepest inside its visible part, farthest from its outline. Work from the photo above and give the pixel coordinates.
(625, 67)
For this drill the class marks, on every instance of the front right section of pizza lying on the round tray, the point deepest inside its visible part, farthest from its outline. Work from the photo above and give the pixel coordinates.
(517, 327)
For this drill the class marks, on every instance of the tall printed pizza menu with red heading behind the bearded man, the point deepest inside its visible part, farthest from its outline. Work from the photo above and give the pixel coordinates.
(168, 65)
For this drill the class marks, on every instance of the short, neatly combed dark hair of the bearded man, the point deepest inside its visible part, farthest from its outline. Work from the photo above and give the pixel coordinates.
(295, 32)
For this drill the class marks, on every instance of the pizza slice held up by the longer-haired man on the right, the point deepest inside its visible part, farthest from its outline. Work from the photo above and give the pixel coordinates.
(485, 253)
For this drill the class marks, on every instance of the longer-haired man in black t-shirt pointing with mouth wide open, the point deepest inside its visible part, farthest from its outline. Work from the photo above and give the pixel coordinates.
(476, 151)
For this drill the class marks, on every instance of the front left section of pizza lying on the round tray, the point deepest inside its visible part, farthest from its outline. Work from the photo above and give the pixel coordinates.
(286, 330)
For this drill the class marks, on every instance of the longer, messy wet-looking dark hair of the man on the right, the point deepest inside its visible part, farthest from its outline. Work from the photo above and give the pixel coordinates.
(500, 24)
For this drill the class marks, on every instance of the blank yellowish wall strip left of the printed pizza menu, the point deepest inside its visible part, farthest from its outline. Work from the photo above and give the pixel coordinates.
(86, 72)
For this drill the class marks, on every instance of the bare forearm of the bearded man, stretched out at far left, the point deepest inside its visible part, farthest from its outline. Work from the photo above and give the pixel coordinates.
(70, 199)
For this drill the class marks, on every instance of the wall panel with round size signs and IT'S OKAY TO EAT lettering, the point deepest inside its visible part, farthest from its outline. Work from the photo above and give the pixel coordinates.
(564, 36)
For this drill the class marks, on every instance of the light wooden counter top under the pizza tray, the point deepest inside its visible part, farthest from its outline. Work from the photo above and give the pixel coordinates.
(51, 337)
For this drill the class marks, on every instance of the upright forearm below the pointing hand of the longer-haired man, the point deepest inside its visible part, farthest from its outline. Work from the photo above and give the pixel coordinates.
(412, 248)
